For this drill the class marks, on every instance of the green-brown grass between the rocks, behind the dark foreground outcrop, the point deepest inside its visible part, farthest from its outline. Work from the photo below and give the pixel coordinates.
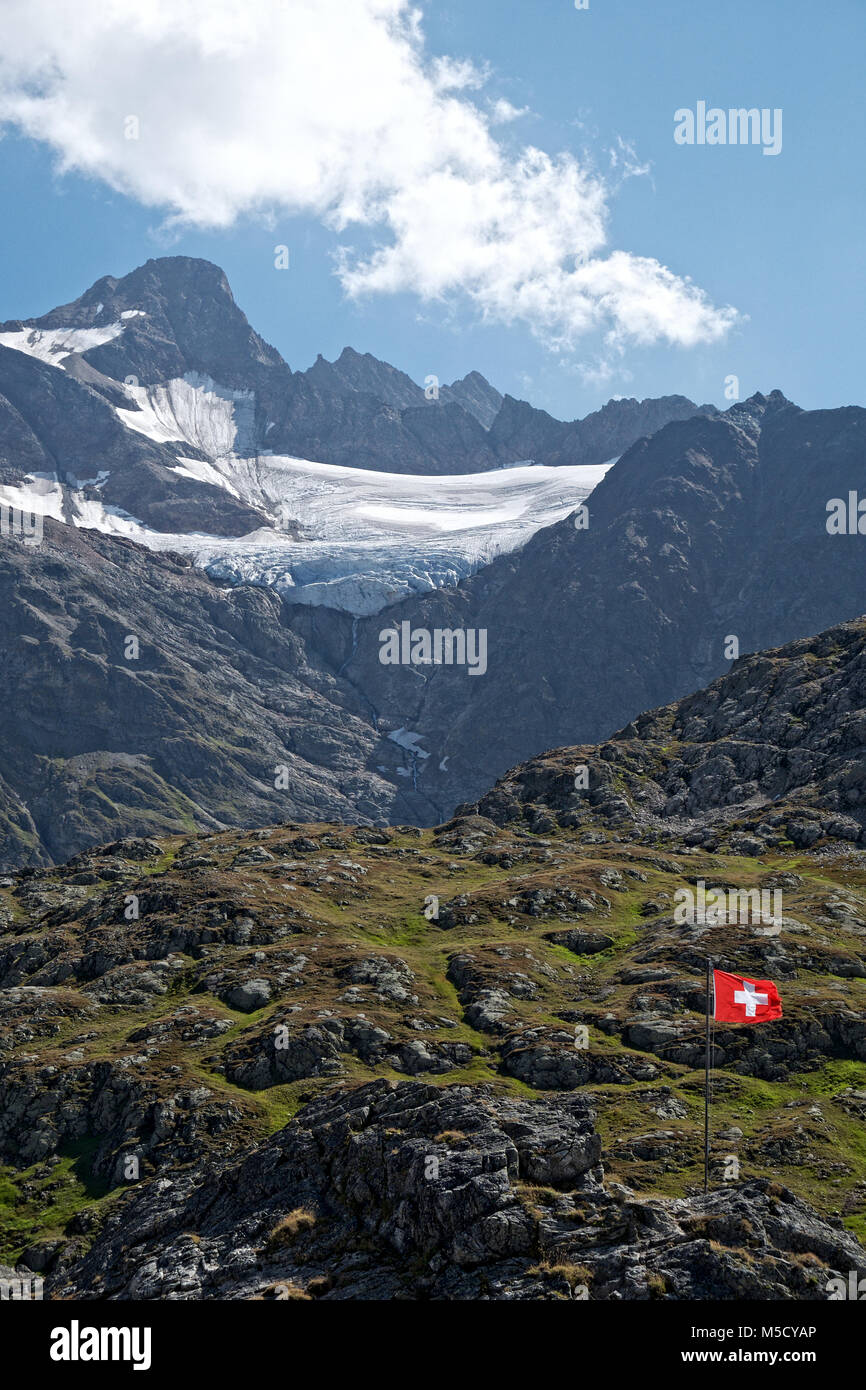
(824, 1145)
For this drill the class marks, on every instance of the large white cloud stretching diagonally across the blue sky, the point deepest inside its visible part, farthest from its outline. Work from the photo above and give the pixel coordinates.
(334, 109)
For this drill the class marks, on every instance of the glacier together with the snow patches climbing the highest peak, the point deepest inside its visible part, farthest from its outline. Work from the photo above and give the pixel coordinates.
(345, 539)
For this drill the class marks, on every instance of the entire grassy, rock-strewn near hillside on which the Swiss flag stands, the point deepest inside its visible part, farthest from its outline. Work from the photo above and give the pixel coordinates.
(348, 1063)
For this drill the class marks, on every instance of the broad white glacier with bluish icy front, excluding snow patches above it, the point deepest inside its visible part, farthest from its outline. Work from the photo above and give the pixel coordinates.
(347, 539)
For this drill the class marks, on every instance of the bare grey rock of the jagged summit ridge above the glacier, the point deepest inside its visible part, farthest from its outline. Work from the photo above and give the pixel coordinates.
(358, 411)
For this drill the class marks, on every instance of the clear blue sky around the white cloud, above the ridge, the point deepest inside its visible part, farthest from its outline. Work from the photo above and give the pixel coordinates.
(778, 238)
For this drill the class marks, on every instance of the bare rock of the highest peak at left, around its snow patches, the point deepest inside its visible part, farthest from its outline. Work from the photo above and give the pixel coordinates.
(63, 420)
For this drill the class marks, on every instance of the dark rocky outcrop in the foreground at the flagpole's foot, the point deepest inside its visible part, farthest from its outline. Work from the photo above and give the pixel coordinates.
(415, 1192)
